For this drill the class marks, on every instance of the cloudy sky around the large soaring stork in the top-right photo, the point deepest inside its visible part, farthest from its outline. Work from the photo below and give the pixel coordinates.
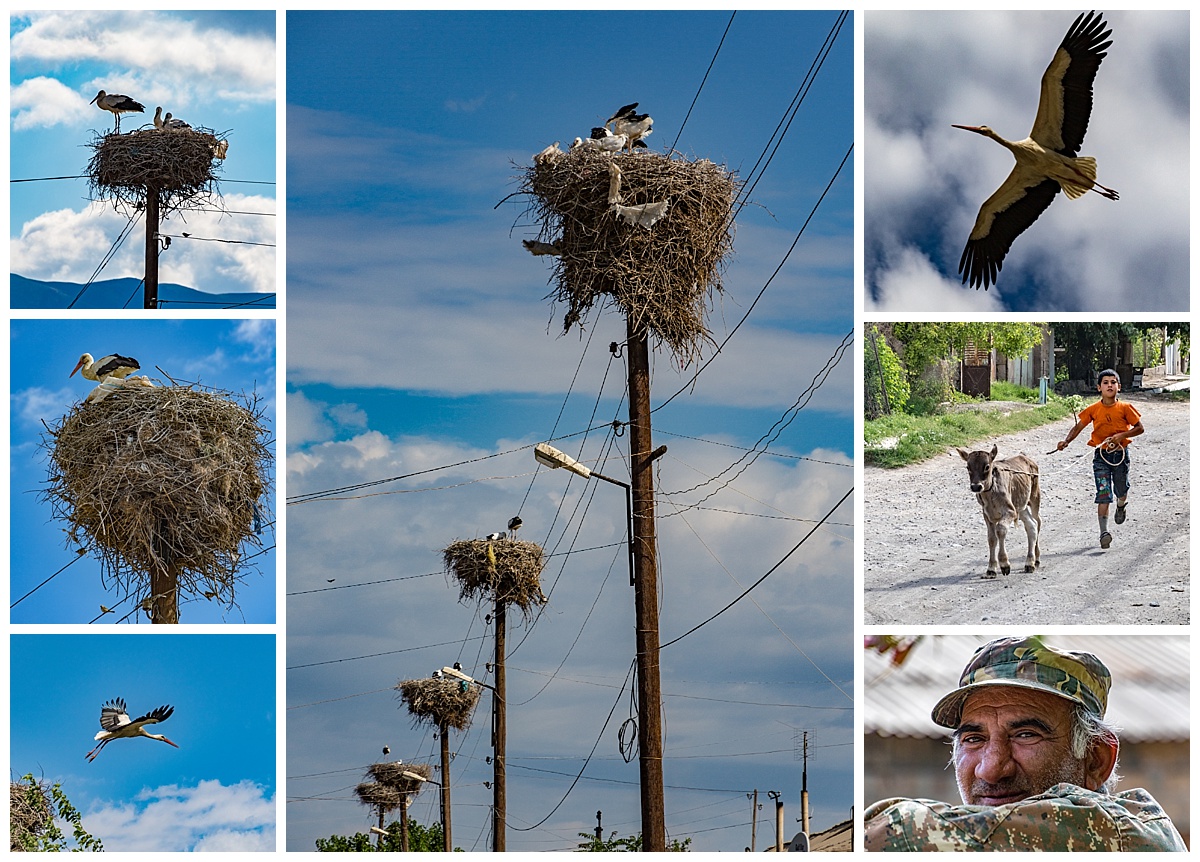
(925, 182)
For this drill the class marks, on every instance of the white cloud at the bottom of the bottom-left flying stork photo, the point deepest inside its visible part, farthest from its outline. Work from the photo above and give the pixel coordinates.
(172, 818)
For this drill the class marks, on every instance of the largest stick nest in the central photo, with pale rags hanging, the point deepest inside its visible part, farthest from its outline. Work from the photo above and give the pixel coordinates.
(662, 272)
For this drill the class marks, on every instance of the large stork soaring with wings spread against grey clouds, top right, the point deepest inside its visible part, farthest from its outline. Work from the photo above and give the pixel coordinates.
(1047, 160)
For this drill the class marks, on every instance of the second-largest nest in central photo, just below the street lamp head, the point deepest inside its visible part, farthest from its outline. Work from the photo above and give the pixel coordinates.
(507, 571)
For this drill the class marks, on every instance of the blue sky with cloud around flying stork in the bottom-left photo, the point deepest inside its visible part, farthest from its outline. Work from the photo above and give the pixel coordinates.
(217, 792)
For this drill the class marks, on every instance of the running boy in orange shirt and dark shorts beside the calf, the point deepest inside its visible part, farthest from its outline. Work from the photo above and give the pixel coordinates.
(1113, 424)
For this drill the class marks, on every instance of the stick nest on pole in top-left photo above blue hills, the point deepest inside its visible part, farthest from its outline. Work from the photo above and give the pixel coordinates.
(181, 165)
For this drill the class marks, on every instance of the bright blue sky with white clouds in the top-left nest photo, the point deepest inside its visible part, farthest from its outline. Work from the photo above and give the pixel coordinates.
(213, 70)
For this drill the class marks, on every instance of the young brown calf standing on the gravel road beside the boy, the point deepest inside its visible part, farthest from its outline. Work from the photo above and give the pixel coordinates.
(1006, 490)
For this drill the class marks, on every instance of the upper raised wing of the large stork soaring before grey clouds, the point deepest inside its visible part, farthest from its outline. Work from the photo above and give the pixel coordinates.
(1066, 104)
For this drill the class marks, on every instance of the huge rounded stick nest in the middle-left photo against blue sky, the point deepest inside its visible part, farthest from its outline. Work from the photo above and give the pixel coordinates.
(167, 478)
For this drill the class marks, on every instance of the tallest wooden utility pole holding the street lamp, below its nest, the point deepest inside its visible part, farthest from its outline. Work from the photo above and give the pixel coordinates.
(650, 699)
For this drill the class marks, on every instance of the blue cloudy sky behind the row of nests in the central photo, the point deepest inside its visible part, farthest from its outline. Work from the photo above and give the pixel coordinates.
(419, 337)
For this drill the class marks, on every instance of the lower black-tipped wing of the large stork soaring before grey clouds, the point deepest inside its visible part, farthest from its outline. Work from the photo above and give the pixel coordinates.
(1017, 205)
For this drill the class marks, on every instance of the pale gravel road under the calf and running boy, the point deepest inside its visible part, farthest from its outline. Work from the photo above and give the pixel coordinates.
(927, 546)
